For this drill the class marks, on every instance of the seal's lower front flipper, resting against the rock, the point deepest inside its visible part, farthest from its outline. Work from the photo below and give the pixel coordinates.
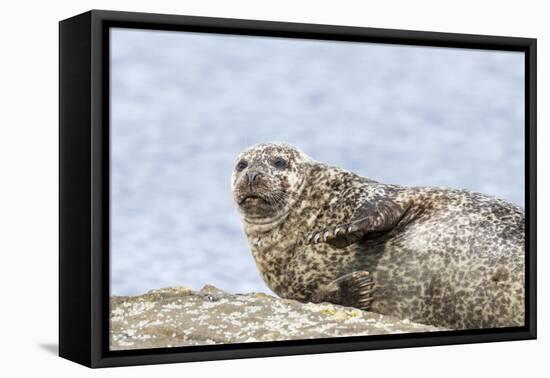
(353, 289)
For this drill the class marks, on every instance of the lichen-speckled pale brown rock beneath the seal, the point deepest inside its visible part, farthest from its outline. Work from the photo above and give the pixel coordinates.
(178, 316)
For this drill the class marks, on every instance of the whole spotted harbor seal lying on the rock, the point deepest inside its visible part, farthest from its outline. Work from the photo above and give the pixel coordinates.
(446, 257)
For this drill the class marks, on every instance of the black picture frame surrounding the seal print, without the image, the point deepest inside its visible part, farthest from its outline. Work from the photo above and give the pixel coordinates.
(84, 186)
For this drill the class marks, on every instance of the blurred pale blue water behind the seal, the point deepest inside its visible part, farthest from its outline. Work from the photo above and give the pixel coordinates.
(184, 105)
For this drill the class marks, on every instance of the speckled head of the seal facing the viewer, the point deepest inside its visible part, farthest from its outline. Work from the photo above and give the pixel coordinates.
(267, 180)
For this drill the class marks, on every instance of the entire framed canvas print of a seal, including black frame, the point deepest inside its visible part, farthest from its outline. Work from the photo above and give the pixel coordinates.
(236, 188)
